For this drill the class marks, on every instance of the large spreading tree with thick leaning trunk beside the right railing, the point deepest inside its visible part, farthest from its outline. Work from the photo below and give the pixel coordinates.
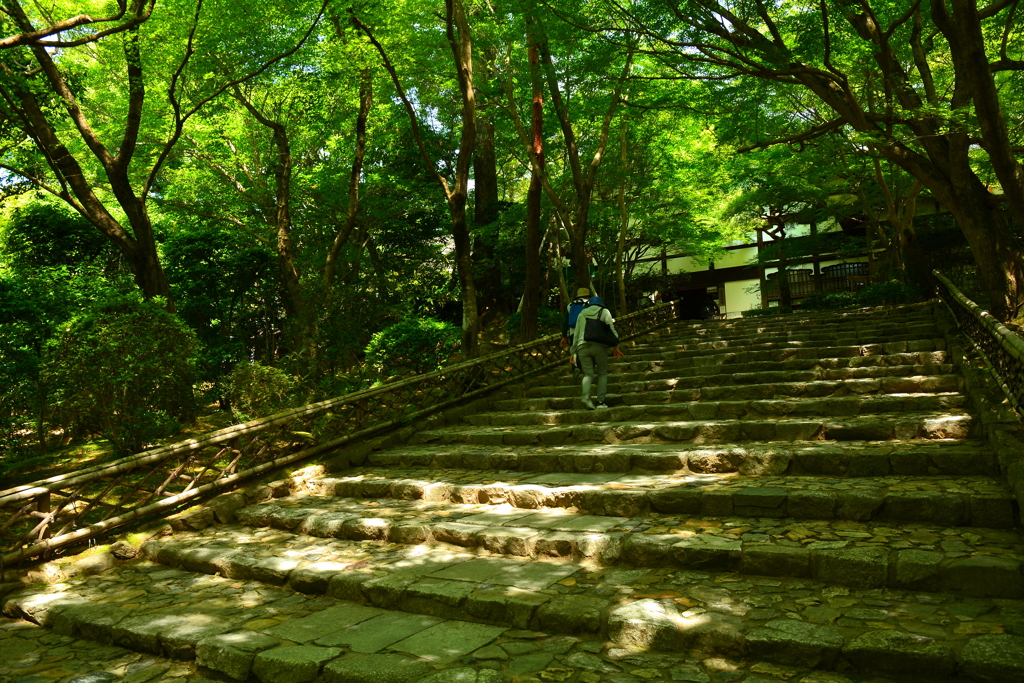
(880, 71)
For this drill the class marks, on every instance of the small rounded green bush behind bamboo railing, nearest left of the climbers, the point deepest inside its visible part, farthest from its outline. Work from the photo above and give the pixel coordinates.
(413, 345)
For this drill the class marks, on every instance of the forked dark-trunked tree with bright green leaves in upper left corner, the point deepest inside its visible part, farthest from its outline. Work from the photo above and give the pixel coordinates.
(90, 146)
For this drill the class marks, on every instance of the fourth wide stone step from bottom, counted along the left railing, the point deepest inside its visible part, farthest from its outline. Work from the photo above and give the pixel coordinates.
(945, 501)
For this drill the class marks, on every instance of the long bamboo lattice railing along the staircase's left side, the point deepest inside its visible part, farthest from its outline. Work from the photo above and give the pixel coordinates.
(67, 510)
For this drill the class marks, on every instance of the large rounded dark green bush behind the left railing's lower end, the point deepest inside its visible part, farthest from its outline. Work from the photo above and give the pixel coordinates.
(123, 369)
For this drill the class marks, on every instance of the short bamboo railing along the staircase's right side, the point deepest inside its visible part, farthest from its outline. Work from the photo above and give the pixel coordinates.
(1002, 349)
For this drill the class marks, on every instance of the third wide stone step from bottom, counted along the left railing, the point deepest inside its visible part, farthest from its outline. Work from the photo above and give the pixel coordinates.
(979, 563)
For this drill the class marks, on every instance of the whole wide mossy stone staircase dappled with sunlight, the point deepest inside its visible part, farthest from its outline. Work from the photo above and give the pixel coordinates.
(804, 499)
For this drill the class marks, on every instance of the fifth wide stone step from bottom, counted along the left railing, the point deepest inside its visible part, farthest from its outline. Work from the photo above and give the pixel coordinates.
(850, 459)
